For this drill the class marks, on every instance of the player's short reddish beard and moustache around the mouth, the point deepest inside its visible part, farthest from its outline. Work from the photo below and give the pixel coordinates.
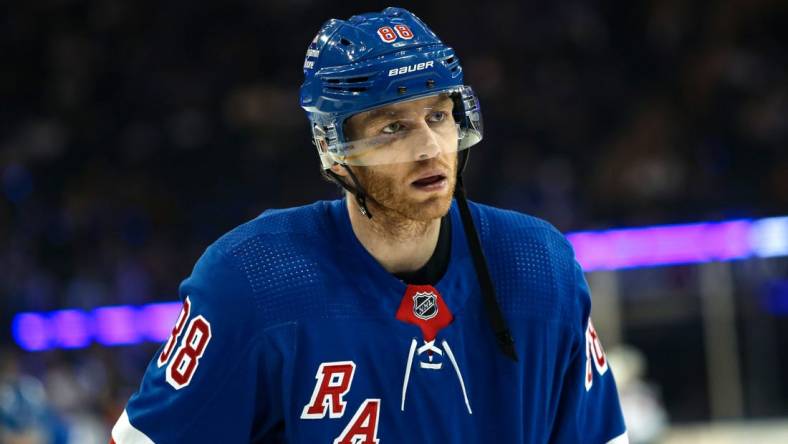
(393, 198)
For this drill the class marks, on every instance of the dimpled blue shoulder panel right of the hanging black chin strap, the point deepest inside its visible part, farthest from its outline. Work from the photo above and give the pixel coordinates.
(532, 263)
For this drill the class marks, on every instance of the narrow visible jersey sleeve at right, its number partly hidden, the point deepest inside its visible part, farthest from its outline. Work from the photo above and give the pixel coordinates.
(589, 408)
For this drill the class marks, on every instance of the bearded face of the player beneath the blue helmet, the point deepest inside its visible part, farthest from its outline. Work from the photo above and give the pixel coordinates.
(424, 140)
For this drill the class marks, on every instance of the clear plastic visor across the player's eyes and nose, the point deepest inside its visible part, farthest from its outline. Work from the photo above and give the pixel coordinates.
(409, 131)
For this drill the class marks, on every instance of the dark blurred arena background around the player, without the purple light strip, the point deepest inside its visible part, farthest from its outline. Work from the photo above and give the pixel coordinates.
(133, 134)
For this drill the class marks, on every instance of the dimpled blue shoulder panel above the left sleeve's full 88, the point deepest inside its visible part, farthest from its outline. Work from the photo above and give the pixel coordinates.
(278, 260)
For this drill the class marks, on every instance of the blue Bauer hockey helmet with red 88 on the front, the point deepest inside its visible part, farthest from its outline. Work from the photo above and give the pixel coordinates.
(376, 59)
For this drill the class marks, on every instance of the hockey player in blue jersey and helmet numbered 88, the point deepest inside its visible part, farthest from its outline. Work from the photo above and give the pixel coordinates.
(397, 314)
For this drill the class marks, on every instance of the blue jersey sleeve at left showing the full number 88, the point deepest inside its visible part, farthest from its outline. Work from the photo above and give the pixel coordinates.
(212, 380)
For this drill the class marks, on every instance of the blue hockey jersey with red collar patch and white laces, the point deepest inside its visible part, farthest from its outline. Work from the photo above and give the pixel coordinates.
(292, 332)
